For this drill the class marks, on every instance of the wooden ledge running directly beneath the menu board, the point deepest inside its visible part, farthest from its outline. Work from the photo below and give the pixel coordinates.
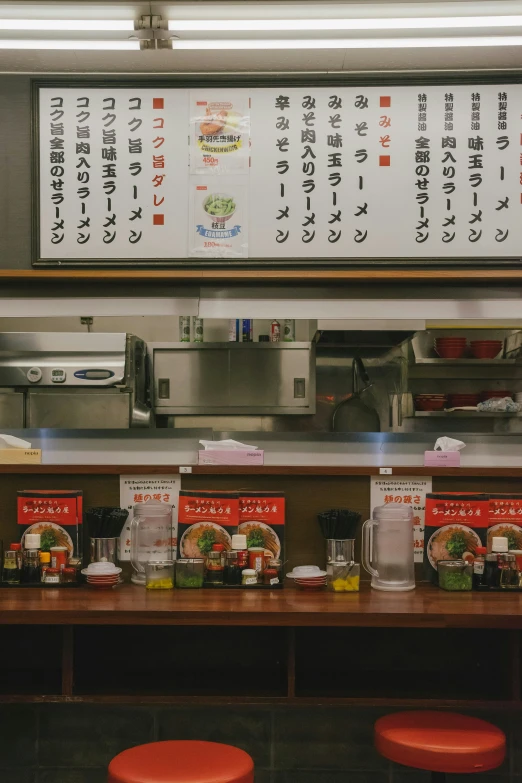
(404, 274)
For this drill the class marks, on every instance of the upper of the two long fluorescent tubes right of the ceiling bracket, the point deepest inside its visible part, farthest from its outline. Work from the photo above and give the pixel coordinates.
(296, 25)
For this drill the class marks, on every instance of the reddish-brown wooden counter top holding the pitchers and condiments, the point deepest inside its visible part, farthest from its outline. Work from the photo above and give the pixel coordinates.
(425, 607)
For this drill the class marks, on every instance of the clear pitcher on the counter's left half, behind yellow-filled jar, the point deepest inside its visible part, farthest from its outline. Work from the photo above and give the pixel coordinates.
(151, 536)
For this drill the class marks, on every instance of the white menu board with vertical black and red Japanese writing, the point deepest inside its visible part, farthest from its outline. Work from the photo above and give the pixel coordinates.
(279, 173)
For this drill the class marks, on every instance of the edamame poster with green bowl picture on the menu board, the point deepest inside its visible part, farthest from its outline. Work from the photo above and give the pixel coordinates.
(218, 218)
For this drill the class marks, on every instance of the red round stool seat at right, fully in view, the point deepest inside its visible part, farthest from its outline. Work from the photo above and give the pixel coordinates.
(440, 741)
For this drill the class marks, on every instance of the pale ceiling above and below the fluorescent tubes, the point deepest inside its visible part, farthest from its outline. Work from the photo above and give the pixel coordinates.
(189, 61)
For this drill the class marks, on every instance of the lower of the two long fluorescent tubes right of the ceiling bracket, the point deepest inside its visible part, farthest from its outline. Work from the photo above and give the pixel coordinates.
(349, 43)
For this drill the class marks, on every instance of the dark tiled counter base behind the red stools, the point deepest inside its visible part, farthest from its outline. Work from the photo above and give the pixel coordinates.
(73, 743)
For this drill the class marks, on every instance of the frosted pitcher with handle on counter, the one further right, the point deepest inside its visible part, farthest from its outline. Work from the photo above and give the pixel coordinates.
(388, 547)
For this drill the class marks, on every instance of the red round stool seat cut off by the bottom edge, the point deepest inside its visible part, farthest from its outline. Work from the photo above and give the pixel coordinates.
(182, 761)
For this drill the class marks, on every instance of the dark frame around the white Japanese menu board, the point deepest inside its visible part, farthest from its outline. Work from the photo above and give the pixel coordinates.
(263, 80)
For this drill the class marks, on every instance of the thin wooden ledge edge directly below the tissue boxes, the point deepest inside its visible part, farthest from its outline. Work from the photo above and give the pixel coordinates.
(262, 470)
